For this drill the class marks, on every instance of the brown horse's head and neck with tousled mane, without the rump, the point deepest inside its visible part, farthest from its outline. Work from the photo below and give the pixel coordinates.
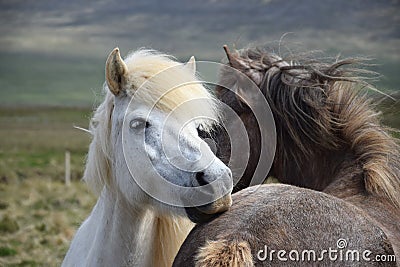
(326, 129)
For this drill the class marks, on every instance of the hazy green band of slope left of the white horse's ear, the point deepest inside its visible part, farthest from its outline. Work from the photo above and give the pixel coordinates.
(49, 80)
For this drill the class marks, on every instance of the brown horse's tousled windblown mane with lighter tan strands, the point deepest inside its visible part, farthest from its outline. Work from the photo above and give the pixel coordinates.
(321, 107)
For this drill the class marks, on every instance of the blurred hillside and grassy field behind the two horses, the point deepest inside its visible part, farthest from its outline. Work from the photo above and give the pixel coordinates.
(52, 56)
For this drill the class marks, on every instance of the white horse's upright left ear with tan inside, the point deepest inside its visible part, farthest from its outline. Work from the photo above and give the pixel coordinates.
(116, 72)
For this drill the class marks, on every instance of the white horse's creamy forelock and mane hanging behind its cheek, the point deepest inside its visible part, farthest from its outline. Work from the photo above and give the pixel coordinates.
(156, 78)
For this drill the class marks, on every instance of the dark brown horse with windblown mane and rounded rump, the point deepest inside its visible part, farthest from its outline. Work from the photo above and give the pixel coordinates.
(329, 139)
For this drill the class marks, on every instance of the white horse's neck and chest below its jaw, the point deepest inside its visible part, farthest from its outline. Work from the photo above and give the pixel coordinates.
(116, 234)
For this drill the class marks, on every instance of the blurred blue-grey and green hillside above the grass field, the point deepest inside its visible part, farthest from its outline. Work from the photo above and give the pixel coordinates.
(53, 52)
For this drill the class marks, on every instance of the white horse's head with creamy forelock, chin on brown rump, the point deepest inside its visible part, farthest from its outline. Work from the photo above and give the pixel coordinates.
(145, 138)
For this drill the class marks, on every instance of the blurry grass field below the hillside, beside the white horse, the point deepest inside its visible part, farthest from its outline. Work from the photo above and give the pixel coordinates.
(39, 214)
